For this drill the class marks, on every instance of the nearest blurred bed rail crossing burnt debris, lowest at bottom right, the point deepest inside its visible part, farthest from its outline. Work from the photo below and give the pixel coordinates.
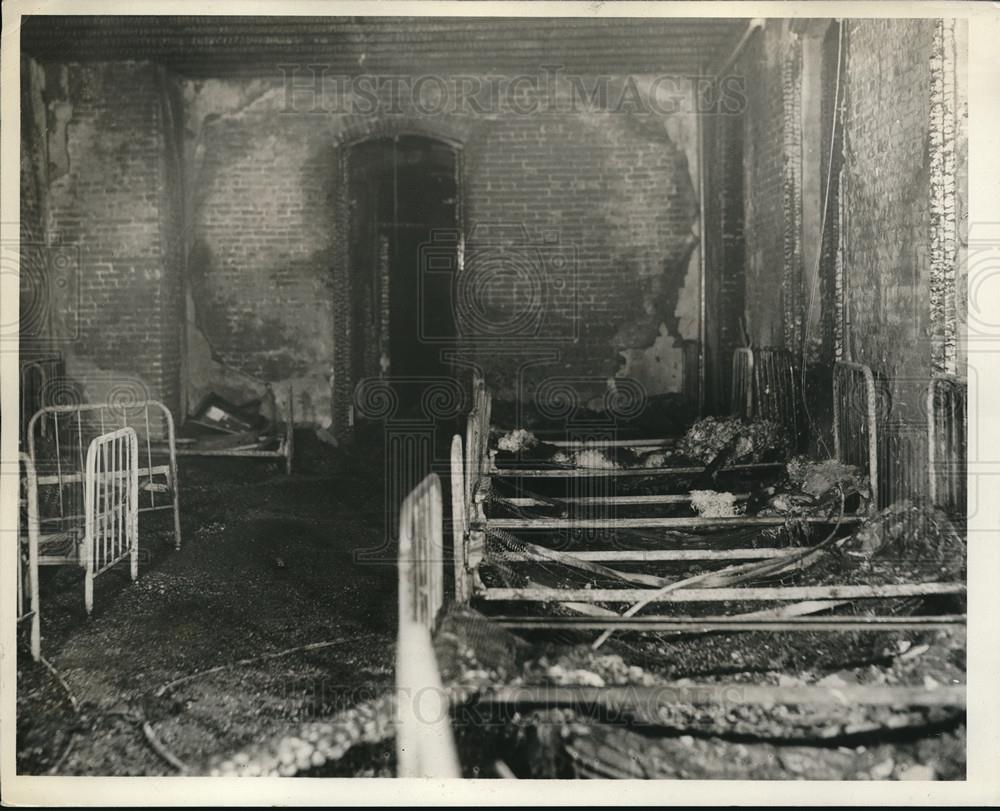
(664, 695)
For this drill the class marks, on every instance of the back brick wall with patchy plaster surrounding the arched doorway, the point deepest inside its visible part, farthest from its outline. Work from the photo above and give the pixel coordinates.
(602, 201)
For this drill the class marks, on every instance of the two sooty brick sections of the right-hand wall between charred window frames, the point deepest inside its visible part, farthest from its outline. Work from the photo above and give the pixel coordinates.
(885, 241)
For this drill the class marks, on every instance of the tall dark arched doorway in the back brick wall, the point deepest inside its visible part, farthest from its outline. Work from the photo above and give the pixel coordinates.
(403, 249)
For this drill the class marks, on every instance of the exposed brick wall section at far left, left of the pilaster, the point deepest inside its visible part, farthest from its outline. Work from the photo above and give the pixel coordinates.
(108, 202)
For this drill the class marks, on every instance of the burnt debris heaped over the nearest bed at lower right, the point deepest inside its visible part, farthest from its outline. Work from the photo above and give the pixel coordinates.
(534, 705)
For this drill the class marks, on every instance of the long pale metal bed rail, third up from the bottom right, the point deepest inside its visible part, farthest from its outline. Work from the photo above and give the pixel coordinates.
(746, 594)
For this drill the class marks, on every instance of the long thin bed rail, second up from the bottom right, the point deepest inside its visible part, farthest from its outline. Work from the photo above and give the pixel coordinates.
(738, 623)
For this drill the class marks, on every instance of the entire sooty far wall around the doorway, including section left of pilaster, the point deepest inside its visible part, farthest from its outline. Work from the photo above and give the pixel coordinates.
(210, 221)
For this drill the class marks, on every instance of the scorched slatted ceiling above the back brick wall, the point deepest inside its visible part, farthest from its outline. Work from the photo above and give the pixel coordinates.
(234, 46)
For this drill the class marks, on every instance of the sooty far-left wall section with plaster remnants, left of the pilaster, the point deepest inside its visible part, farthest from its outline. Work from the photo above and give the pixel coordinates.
(97, 205)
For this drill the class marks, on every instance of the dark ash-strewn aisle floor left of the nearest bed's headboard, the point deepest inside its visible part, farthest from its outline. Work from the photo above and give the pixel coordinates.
(267, 565)
